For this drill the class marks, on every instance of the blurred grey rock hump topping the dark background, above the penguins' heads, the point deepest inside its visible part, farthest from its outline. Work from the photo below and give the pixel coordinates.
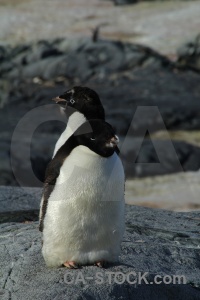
(82, 58)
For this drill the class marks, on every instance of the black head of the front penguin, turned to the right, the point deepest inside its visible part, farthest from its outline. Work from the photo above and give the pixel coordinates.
(97, 135)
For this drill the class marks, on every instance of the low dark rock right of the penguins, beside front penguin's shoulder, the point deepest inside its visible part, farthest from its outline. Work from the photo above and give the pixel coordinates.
(154, 157)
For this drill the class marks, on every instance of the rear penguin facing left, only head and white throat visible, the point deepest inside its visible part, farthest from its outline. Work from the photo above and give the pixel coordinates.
(79, 104)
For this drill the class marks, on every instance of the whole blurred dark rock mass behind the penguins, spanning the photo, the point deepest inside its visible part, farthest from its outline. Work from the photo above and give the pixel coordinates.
(126, 76)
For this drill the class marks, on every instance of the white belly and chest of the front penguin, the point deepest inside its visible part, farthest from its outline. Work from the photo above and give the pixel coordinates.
(84, 221)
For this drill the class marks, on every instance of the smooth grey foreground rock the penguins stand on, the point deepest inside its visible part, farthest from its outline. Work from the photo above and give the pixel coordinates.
(156, 242)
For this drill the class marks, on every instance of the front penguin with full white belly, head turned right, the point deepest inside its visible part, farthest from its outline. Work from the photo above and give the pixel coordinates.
(83, 216)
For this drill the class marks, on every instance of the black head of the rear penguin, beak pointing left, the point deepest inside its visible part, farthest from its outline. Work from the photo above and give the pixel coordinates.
(83, 100)
